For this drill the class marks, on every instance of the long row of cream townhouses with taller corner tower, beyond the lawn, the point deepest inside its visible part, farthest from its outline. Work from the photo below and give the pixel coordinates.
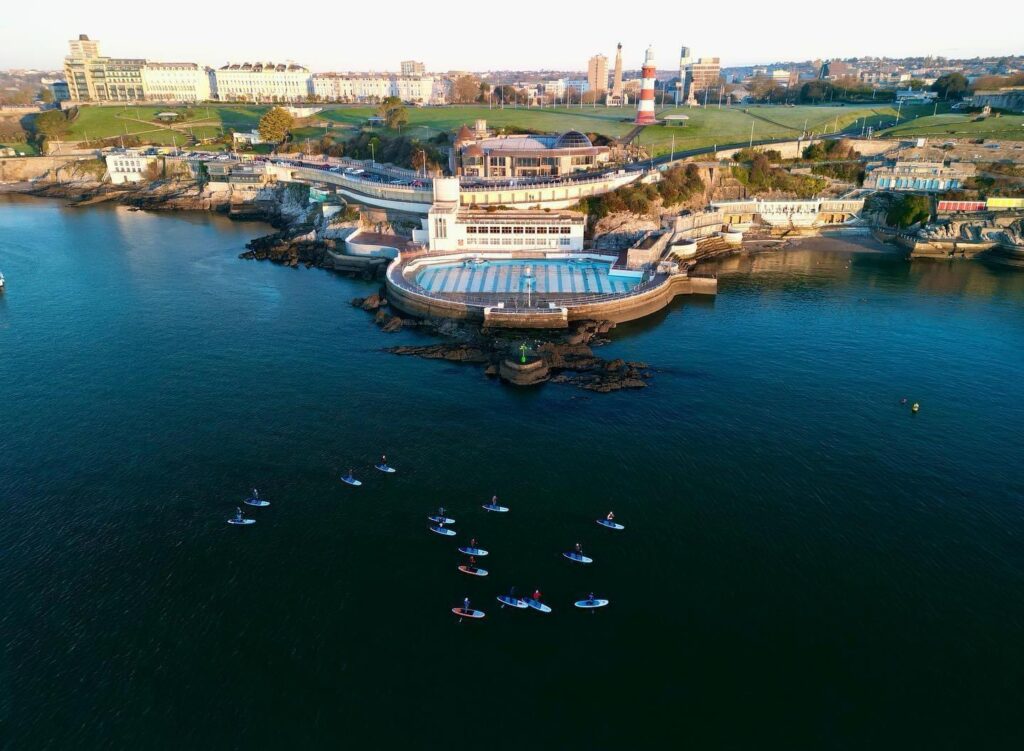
(94, 77)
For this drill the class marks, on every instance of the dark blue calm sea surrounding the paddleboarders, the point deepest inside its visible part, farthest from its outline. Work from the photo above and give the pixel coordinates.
(806, 564)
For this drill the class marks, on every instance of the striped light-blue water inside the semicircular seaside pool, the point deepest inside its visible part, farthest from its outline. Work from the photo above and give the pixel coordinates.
(497, 277)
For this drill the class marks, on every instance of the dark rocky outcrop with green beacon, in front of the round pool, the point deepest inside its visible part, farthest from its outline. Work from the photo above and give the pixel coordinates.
(567, 357)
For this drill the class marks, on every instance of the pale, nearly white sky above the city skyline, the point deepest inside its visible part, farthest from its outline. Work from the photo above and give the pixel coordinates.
(487, 36)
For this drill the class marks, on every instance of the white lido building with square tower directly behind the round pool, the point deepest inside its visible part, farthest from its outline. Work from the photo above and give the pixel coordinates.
(454, 229)
